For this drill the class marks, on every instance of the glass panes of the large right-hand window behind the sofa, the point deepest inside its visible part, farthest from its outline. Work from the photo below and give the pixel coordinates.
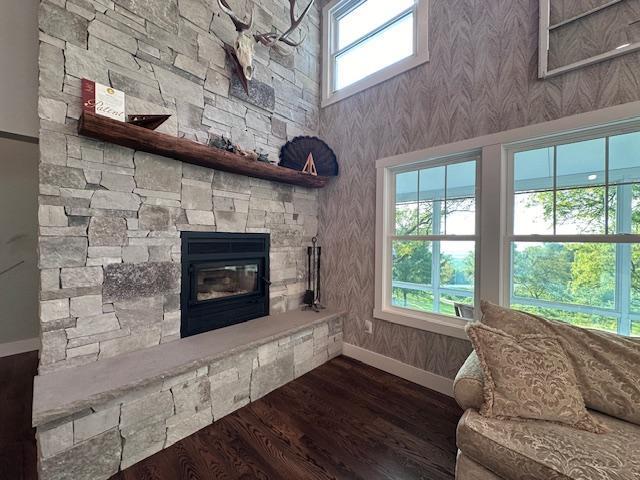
(574, 205)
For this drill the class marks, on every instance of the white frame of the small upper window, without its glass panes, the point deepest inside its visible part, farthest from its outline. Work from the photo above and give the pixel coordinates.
(330, 15)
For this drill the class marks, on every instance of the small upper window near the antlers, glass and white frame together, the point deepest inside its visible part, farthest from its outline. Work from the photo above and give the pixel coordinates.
(369, 41)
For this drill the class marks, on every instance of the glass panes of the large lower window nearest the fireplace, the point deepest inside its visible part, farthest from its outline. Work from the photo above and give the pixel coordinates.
(433, 244)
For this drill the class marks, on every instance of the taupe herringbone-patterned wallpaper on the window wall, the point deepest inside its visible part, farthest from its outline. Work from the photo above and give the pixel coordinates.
(482, 78)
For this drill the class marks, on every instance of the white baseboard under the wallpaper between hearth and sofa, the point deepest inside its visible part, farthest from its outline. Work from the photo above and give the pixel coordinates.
(395, 367)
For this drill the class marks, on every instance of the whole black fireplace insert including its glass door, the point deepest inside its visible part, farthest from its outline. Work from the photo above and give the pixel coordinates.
(225, 280)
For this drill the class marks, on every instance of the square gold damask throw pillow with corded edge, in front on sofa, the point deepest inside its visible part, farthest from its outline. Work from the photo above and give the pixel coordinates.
(529, 377)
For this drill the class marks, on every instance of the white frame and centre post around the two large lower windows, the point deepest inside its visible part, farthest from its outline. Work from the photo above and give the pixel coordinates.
(493, 209)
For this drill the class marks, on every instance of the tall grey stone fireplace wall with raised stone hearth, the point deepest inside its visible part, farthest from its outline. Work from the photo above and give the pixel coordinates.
(120, 375)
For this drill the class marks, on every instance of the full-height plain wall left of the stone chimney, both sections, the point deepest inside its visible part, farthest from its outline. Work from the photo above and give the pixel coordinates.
(18, 171)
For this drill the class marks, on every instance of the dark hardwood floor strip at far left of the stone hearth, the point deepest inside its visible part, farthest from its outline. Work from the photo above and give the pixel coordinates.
(17, 438)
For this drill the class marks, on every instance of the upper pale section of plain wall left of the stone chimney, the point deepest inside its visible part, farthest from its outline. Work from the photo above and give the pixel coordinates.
(19, 67)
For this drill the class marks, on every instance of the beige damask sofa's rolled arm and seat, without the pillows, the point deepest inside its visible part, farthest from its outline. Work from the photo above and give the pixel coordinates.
(493, 449)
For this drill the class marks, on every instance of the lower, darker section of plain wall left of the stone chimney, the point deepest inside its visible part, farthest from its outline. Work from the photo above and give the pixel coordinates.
(18, 240)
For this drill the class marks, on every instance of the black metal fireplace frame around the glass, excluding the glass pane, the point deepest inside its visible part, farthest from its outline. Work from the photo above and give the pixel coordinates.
(213, 248)
